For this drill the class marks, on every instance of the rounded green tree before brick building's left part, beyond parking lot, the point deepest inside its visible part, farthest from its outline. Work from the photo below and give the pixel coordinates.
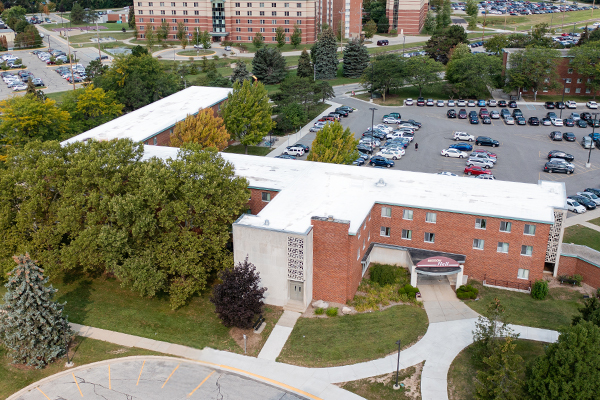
(533, 68)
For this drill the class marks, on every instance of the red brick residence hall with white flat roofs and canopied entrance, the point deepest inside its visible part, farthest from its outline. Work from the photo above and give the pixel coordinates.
(312, 229)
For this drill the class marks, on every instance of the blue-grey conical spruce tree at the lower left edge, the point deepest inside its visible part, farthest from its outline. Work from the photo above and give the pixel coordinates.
(32, 325)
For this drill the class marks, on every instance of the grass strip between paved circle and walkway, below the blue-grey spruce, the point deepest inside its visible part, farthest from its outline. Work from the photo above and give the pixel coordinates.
(14, 378)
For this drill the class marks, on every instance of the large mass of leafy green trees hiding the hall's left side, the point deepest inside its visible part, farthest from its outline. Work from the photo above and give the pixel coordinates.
(97, 207)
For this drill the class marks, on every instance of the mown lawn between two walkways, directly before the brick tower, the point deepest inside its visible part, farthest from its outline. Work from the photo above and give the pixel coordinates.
(349, 339)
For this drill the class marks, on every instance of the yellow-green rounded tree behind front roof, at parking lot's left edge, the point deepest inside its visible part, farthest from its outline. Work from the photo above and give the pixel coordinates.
(334, 145)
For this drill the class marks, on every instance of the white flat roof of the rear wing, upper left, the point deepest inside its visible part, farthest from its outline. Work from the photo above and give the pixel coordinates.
(142, 124)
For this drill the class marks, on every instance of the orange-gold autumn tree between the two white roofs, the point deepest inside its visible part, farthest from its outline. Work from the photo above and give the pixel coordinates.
(204, 129)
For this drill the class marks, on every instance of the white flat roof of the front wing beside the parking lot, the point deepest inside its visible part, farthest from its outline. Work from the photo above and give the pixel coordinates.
(347, 192)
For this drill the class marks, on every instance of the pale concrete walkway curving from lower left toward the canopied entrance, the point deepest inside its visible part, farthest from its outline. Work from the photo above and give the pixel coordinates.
(439, 346)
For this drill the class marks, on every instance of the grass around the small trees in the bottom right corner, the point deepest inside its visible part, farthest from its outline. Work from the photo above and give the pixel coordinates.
(464, 368)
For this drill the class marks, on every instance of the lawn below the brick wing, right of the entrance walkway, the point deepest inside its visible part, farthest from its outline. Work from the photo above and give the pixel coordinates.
(555, 312)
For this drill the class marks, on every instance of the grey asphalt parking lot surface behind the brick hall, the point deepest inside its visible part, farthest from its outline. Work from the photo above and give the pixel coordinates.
(521, 156)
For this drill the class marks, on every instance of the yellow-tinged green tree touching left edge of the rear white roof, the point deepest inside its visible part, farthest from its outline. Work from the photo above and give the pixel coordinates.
(90, 107)
